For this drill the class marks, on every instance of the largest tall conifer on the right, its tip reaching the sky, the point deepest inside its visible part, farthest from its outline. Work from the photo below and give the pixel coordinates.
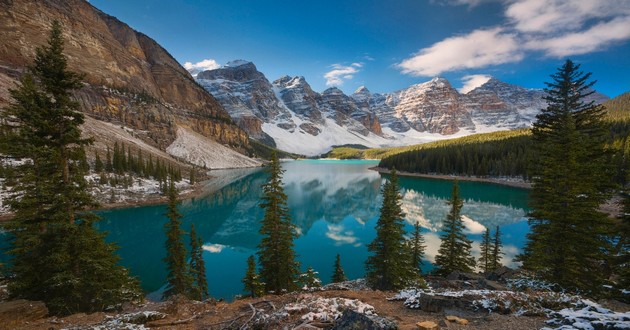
(571, 178)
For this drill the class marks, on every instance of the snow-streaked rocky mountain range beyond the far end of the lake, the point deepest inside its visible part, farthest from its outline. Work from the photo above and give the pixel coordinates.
(288, 114)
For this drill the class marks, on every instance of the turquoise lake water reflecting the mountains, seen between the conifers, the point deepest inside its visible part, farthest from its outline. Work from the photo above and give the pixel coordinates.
(335, 205)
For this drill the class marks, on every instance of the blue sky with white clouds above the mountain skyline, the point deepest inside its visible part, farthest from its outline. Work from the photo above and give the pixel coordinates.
(390, 45)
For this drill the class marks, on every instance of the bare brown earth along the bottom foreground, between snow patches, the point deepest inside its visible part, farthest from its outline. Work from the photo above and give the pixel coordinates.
(221, 315)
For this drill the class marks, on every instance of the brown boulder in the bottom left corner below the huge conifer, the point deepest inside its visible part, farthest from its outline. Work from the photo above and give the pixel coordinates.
(16, 312)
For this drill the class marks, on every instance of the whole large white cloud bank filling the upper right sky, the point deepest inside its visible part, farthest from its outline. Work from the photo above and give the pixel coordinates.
(557, 28)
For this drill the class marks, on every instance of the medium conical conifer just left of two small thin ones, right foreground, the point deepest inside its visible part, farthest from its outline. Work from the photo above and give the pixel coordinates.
(454, 252)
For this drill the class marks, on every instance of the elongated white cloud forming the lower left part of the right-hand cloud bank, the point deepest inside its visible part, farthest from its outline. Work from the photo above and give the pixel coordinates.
(478, 49)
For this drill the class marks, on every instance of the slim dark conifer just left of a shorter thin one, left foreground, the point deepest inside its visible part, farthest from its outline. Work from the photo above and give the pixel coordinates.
(178, 279)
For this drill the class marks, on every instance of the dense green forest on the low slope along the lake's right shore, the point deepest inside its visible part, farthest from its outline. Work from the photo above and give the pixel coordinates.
(500, 153)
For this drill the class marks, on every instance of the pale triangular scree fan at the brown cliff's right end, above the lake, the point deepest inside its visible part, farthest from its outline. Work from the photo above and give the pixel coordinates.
(202, 151)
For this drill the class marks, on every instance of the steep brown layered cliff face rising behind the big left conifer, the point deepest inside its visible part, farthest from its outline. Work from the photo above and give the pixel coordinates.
(130, 79)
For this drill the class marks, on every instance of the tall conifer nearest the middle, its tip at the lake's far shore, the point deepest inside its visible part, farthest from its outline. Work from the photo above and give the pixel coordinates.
(278, 266)
